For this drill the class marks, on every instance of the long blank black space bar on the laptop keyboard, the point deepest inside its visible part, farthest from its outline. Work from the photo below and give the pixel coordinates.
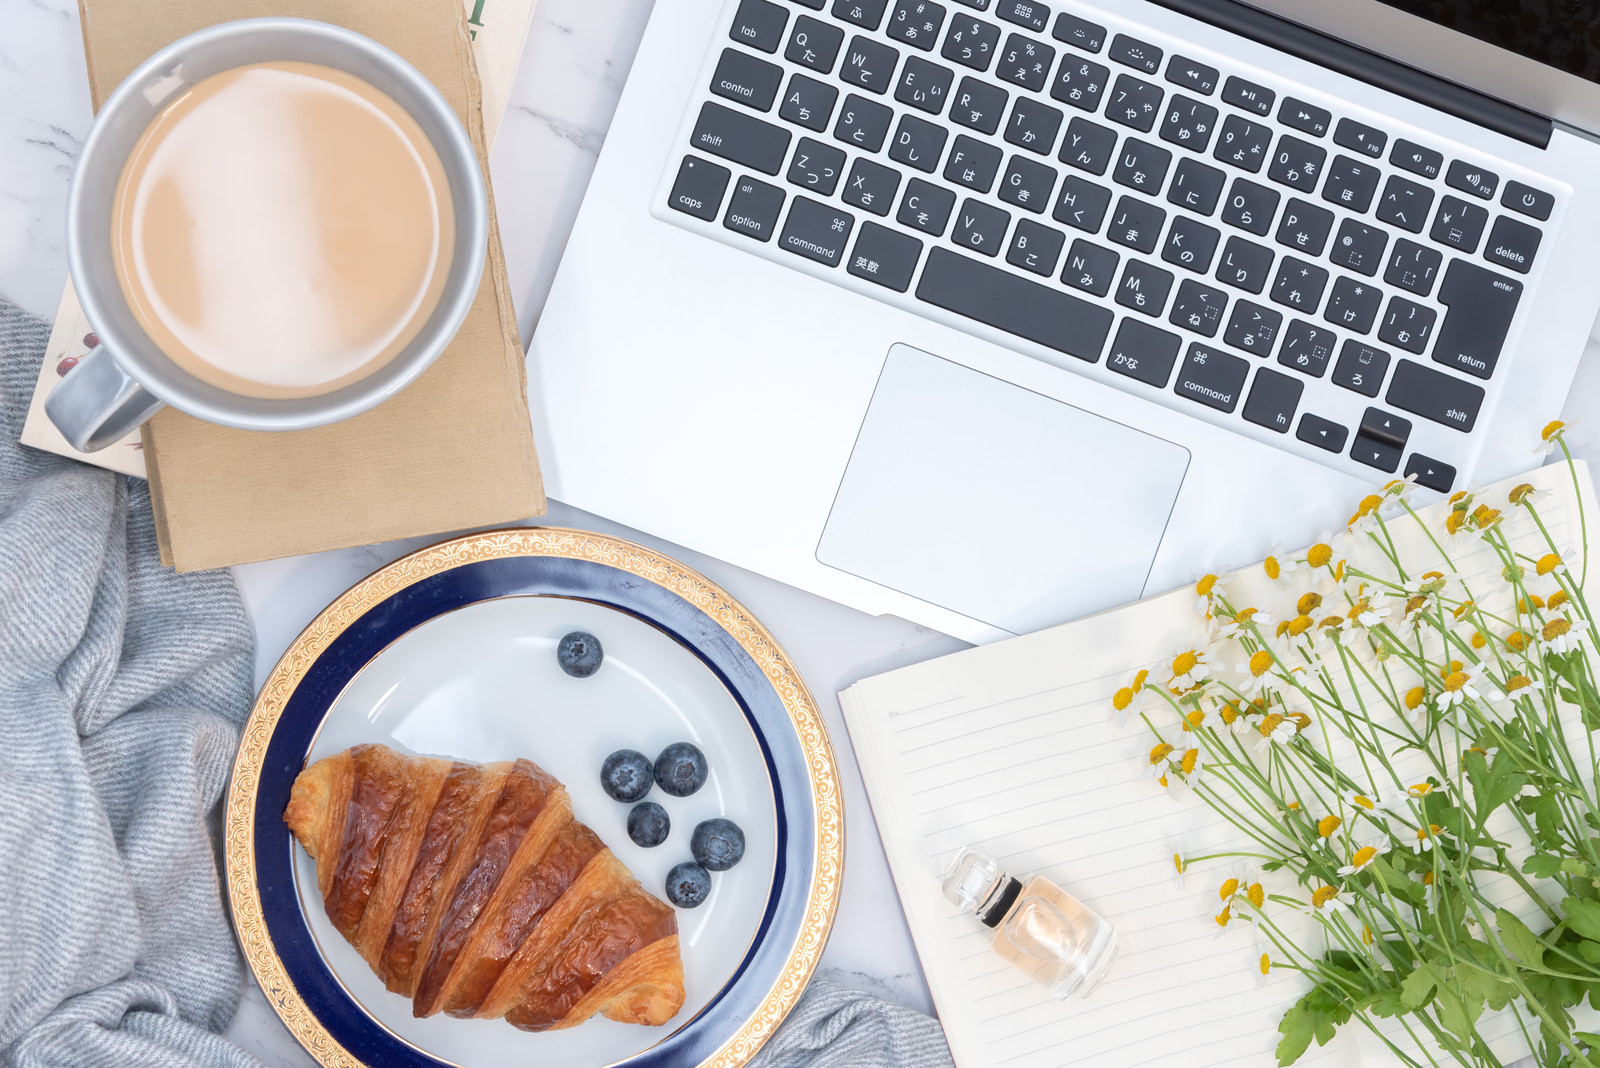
(1014, 305)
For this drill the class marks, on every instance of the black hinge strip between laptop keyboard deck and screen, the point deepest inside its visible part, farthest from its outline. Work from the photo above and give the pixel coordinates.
(1367, 66)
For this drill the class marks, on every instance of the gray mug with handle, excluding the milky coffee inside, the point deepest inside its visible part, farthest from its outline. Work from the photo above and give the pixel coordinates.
(127, 380)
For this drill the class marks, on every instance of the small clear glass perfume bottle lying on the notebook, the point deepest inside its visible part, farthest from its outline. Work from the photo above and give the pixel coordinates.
(1034, 925)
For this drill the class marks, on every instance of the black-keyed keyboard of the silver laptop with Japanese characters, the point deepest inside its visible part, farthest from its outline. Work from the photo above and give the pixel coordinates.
(1206, 236)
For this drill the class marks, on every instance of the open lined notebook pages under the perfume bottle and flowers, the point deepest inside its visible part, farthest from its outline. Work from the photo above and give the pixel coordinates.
(1014, 749)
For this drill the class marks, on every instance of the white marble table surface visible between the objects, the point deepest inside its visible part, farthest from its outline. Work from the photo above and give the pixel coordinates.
(577, 58)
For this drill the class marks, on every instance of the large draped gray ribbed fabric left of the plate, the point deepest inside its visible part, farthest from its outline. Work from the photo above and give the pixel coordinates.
(122, 688)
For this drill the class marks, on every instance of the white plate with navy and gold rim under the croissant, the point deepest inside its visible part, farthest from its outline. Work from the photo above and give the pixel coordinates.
(452, 653)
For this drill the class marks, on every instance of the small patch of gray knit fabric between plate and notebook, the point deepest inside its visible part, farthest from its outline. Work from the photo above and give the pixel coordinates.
(836, 1027)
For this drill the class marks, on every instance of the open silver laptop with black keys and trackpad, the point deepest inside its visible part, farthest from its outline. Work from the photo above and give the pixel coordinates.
(991, 314)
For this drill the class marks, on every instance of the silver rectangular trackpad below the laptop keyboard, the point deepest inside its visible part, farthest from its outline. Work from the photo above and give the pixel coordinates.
(999, 503)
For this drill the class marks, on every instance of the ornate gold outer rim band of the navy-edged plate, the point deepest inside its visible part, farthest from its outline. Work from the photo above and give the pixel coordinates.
(738, 623)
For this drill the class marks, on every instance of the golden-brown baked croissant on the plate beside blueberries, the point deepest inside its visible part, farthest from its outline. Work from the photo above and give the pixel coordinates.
(473, 891)
